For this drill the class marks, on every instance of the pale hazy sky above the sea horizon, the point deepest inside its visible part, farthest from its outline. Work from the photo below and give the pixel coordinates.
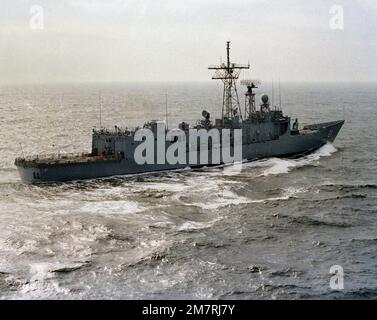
(175, 40)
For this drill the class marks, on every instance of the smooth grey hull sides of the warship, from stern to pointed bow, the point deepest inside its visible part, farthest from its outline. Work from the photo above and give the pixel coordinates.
(286, 145)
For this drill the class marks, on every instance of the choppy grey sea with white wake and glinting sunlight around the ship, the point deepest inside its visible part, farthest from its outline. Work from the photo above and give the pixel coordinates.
(272, 231)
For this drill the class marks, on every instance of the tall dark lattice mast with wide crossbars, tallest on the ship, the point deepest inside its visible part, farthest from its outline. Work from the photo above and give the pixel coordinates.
(229, 74)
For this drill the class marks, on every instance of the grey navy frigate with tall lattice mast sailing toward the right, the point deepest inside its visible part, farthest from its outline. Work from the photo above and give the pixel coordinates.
(266, 132)
